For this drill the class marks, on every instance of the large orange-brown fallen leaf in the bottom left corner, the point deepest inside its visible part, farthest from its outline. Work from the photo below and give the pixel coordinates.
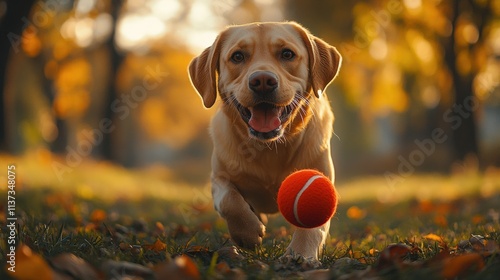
(30, 265)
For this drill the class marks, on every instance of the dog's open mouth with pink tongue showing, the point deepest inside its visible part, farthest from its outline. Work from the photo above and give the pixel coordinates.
(265, 120)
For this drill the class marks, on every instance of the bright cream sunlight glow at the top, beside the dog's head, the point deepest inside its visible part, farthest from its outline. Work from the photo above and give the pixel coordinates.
(195, 24)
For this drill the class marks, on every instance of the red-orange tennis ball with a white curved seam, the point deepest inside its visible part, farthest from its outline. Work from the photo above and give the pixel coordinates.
(307, 198)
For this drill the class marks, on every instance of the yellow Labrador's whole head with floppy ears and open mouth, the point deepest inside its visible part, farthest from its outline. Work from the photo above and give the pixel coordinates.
(265, 74)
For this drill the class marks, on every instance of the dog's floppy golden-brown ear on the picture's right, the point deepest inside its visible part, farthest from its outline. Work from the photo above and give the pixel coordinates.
(324, 61)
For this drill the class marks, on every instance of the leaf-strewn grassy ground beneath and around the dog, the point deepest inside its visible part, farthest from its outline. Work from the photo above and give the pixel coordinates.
(108, 218)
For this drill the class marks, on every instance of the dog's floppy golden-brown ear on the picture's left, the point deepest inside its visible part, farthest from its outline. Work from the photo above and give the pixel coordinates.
(203, 73)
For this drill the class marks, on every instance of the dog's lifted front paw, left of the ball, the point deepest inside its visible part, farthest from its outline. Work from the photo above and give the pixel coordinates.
(247, 232)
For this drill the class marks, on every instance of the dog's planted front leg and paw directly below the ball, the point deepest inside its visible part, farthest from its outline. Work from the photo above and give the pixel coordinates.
(307, 242)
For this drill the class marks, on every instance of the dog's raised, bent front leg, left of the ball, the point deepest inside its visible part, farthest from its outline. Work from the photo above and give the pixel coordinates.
(244, 226)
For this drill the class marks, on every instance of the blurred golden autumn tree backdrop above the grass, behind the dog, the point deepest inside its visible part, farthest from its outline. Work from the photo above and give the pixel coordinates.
(418, 91)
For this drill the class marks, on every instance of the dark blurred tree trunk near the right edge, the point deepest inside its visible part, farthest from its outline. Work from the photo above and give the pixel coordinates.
(468, 20)
